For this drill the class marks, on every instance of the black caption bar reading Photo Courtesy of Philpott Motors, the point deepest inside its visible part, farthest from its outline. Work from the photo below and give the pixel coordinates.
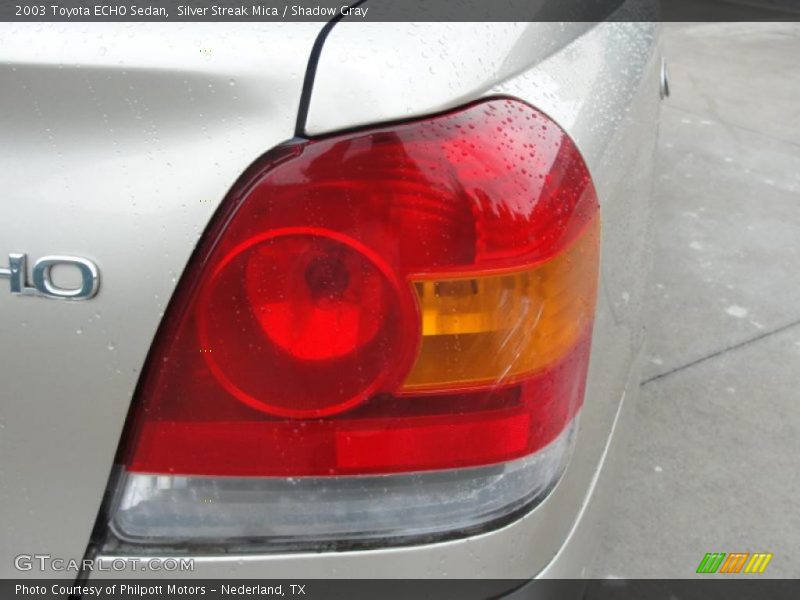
(741, 587)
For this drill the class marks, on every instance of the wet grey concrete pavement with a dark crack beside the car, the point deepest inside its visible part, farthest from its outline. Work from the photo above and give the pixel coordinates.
(712, 458)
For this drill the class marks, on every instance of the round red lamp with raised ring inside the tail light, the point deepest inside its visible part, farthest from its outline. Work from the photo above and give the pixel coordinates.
(305, 322)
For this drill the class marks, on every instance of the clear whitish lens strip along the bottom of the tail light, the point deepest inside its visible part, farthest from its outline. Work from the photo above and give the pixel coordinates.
(275, 513)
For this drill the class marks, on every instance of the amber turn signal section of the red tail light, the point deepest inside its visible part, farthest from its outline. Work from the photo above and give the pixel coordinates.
(494, 329)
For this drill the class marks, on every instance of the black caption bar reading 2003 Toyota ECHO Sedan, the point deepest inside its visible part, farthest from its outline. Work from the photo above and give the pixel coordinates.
(396, 10)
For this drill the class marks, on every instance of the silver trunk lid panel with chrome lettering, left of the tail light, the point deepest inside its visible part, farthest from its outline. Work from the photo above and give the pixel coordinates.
(117, 144)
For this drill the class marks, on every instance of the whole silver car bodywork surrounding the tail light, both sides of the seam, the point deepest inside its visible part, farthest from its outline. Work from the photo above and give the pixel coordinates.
(133, 205)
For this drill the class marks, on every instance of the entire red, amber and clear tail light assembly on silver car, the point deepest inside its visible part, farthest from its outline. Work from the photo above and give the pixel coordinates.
(384, 335)
